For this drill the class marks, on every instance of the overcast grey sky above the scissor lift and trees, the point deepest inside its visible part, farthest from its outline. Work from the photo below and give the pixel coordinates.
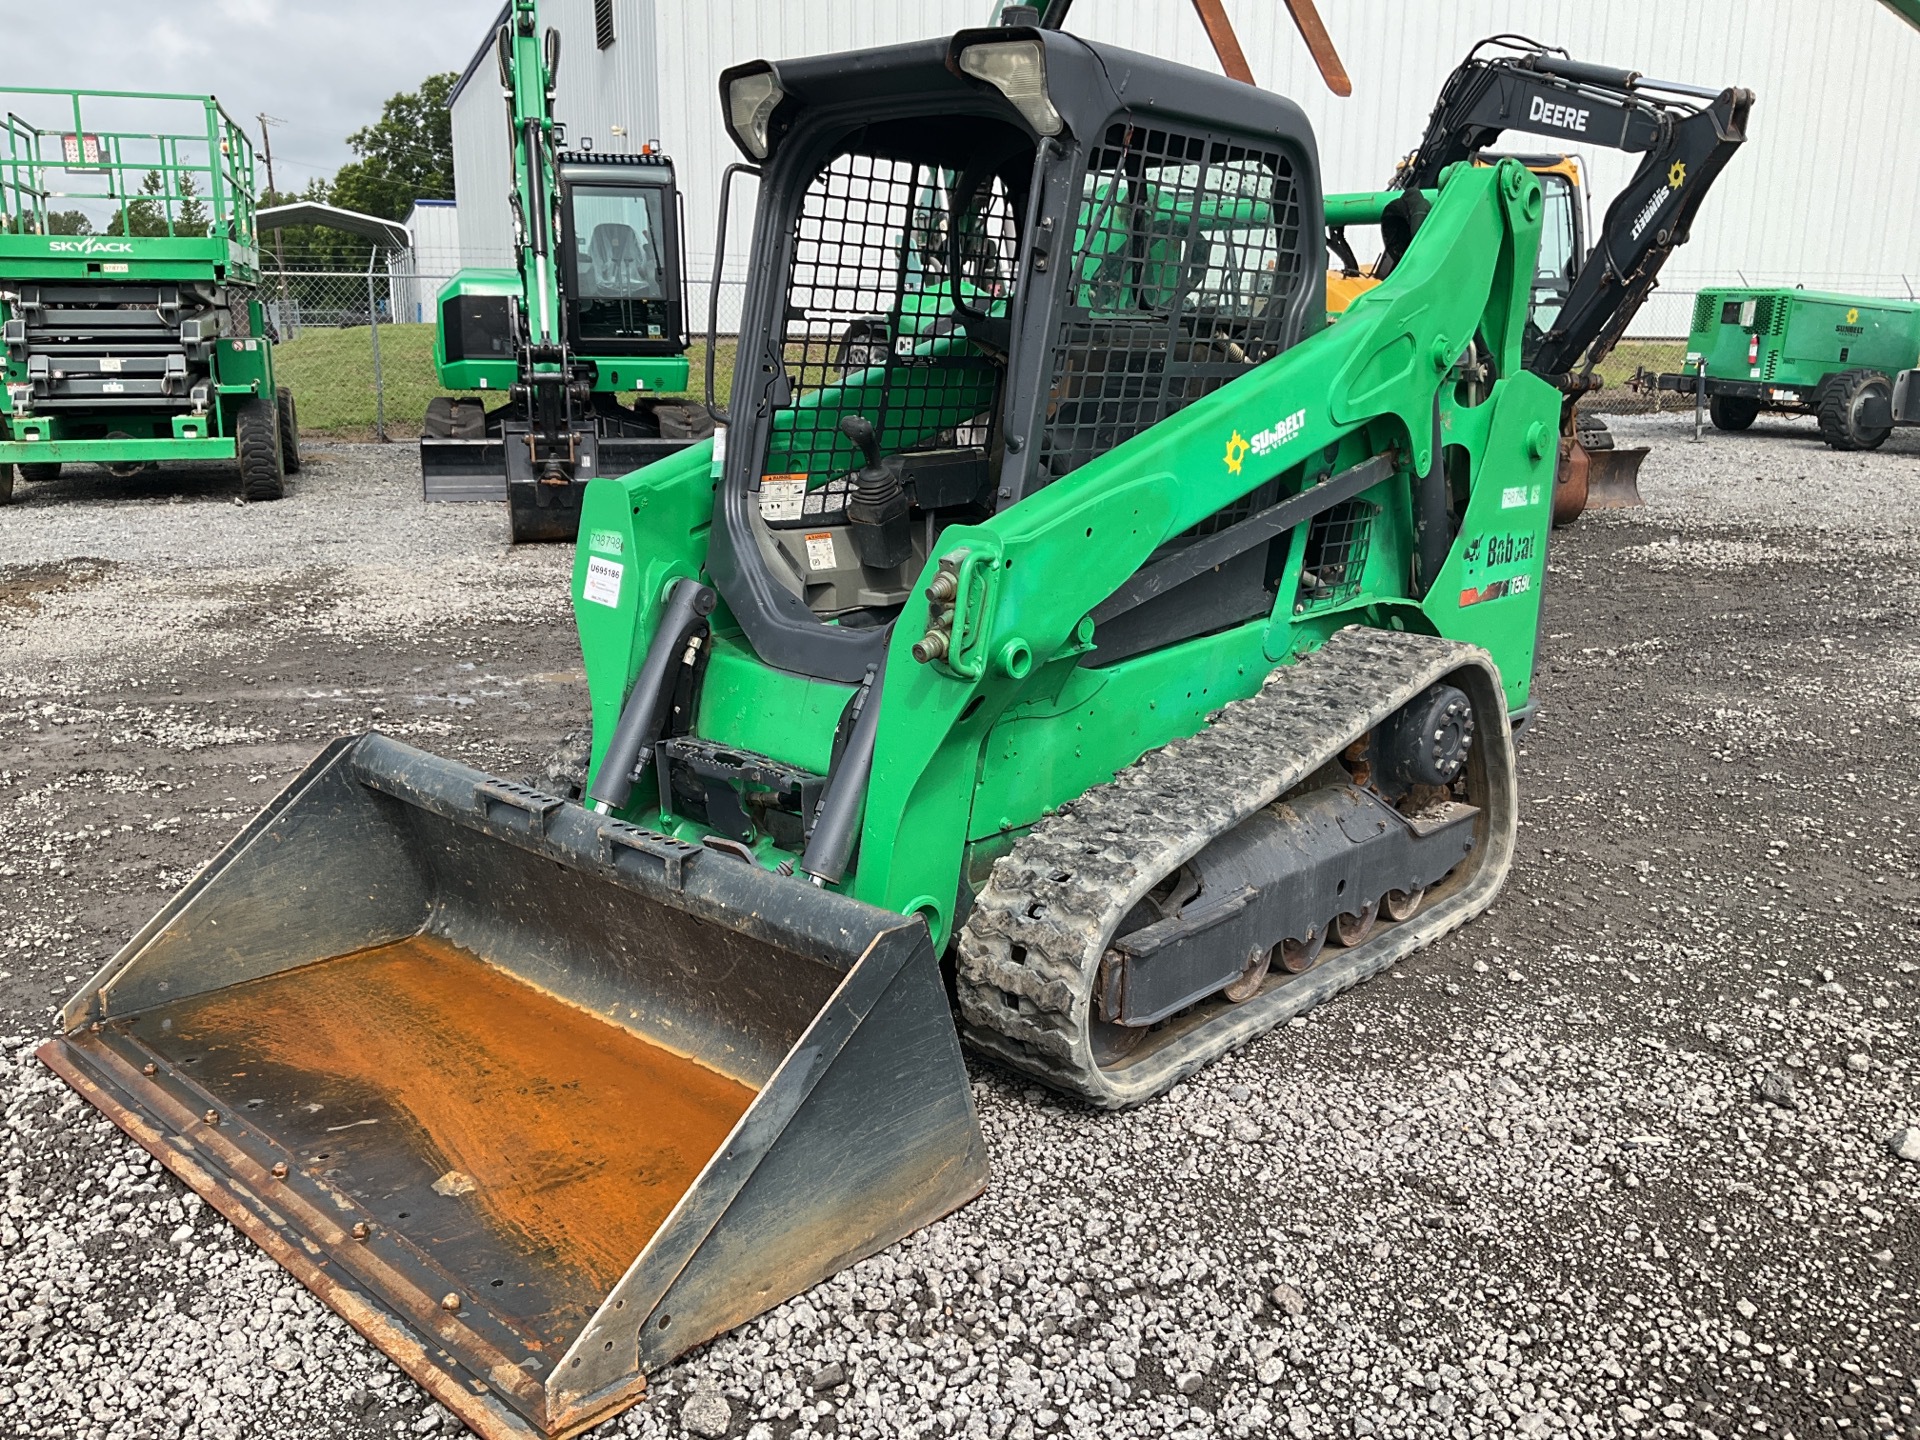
(324, 66)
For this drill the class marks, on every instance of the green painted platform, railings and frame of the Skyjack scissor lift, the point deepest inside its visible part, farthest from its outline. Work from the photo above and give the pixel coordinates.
(203, 149)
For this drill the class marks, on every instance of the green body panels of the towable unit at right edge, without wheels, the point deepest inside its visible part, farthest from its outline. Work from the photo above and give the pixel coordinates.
(1804, 335)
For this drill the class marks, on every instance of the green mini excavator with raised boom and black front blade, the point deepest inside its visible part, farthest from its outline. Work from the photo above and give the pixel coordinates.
(592, 312)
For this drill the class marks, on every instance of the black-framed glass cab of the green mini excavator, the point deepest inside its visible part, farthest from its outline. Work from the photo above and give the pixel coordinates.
(621, 256)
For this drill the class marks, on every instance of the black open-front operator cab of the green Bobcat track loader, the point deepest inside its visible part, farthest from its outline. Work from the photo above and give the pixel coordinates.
(965, 289)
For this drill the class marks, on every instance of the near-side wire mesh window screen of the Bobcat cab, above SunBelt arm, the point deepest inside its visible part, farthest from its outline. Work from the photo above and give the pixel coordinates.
(1188, 258)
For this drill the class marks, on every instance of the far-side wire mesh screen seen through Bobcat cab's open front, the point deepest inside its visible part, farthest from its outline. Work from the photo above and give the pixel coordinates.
(898, 295)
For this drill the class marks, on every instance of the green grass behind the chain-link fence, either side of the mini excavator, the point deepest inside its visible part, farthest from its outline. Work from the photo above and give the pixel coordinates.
(331, 377)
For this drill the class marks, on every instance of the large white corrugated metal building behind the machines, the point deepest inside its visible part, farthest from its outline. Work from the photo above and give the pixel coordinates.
(1813, 197)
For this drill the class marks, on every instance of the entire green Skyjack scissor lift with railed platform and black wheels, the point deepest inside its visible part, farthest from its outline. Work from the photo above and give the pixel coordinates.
(130, 277)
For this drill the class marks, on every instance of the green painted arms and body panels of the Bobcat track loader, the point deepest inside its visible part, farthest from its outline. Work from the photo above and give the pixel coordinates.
(976, 748)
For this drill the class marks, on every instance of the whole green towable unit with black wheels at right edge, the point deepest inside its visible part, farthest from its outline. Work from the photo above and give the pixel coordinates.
(1804, 352)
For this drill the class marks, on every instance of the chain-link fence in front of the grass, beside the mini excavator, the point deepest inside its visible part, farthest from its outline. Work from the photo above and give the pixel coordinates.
(358, 348)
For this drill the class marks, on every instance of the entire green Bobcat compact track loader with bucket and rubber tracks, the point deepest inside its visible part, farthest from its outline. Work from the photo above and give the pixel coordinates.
(1130, 644)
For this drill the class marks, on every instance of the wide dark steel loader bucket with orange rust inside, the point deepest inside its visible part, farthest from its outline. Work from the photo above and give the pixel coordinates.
(533, 1097)
